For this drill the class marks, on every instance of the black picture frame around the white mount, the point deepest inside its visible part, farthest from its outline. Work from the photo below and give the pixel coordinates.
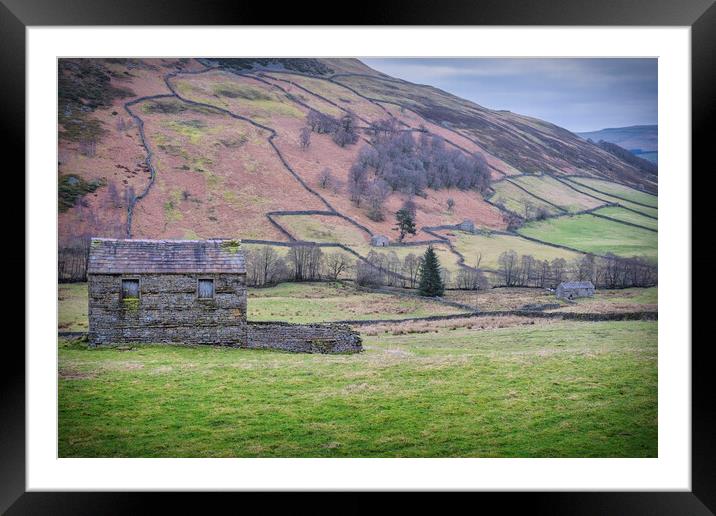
(17, 15)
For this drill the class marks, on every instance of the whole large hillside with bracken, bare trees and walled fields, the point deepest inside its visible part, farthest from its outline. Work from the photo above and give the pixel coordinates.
(186, 148)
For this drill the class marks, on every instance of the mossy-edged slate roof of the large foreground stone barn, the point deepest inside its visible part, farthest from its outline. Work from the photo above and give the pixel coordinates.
(113, 256)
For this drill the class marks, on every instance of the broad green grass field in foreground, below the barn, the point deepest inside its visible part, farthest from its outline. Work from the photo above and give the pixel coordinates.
(510, 389)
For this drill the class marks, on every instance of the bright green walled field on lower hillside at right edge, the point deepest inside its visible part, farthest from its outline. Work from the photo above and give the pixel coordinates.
(595, 235)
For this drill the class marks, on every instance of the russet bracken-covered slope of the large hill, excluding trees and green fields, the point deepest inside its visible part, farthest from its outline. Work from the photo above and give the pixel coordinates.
(186, 148)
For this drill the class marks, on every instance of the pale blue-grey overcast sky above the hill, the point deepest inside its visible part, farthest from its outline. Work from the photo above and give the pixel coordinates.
(578, 94)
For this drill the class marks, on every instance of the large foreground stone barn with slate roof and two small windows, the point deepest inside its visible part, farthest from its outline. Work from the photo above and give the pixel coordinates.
(190, 291)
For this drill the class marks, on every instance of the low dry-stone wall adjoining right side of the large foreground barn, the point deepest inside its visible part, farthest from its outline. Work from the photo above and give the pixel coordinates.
(304, 338)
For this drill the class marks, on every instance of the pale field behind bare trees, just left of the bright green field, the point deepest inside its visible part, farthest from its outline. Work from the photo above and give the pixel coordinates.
(491, 246)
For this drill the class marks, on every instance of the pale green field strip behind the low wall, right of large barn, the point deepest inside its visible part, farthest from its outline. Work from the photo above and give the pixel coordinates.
(313, 302)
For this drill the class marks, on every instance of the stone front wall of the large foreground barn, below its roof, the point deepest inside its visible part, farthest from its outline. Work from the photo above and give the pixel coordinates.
(168, 310)
